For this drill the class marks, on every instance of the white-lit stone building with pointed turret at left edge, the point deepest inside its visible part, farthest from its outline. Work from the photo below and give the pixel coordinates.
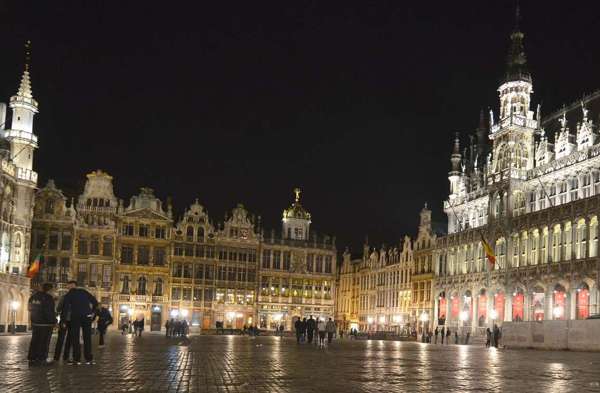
(17, 185)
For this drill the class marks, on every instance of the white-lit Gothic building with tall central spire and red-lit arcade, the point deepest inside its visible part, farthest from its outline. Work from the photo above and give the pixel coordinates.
(531, 188)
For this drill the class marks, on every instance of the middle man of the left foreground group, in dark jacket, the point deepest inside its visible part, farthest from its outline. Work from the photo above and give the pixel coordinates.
(82, 305)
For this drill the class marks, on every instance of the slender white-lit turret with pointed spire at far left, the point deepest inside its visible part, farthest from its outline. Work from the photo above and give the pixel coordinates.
(22, 144)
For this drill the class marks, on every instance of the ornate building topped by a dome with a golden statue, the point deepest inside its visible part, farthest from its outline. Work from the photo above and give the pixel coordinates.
(297, 272)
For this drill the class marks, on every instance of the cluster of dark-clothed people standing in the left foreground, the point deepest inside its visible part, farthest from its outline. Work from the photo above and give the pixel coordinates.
(74, 314)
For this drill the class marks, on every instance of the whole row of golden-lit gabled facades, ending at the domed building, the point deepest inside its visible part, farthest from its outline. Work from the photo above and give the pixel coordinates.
(138, 262)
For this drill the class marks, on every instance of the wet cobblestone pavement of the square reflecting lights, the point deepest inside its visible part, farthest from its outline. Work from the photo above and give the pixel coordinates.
(154, 363)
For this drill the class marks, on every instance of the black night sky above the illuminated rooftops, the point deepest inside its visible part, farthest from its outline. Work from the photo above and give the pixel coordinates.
(355, 102)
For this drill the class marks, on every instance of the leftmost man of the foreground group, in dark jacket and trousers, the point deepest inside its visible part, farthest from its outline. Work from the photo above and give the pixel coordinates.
(43, 319)
